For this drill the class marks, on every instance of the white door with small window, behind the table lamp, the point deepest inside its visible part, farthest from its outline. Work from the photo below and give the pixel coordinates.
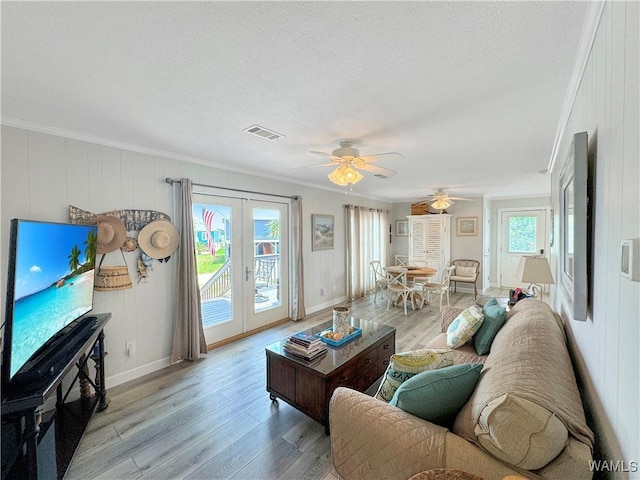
(523, 232)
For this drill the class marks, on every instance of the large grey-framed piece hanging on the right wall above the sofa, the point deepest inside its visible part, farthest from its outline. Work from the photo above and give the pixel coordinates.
(573, 228)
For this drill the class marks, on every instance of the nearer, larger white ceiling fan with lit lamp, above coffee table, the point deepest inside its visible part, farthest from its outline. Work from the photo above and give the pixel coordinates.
(348, 161)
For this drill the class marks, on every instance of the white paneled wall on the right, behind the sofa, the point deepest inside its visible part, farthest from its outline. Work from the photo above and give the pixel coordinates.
(607, 107)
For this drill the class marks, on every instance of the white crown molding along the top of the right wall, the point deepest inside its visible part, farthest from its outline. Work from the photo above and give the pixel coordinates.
(595, 9)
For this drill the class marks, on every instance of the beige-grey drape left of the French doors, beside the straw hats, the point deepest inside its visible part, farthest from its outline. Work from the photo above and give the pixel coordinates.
(188, 334)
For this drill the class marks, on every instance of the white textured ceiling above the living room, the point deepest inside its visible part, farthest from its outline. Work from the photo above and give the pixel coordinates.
(470, 93)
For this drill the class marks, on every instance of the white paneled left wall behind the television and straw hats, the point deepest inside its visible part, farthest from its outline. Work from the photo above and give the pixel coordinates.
(42, 174)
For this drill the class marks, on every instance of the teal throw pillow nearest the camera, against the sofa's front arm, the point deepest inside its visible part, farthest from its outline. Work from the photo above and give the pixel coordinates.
(438, 395)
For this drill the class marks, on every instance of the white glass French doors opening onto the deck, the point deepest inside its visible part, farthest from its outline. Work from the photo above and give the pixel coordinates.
(242, 254)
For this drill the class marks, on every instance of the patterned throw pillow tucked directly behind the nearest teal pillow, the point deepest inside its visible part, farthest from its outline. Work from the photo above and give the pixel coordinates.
(403, 366)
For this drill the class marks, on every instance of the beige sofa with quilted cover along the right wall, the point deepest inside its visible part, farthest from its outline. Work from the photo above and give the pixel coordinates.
(524, 416)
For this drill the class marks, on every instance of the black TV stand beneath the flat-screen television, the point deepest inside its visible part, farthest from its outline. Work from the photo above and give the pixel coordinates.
(40, 445)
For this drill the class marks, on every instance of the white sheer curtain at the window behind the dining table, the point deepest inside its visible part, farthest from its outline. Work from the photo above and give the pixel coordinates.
(367, 236)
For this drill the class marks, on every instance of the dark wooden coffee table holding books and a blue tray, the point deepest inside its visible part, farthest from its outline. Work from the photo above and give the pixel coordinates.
(308, 386)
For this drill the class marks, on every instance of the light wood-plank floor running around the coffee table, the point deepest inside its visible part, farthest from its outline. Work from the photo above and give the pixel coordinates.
(213, 418)
